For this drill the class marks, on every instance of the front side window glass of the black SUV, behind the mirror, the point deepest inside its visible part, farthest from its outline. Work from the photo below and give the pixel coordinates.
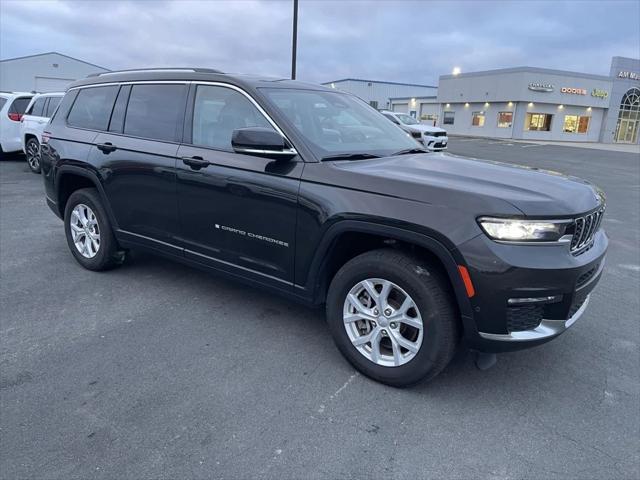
(218, 111)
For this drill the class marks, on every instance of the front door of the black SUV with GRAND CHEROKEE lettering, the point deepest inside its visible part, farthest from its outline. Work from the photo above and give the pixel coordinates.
(237, 211)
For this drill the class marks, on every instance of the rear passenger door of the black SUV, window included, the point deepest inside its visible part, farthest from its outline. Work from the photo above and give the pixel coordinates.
(136, 157)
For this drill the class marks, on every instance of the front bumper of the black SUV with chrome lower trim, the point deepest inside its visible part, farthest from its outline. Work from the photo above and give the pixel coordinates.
(549, 288)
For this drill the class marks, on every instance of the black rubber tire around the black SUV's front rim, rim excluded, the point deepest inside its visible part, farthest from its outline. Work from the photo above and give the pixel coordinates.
(431, 293)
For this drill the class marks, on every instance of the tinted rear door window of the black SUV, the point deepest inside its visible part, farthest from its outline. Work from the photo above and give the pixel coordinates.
(154, 111)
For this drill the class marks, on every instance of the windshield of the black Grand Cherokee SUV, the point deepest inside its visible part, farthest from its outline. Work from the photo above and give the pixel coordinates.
(335, 123)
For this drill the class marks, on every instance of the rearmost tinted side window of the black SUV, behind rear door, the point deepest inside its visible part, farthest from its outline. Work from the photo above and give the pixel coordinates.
(92, 108)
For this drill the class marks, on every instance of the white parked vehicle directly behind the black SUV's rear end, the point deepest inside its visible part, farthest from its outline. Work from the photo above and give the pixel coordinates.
(33, 123)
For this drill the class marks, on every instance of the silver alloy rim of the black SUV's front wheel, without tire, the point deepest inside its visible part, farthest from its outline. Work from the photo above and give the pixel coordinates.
(383, 322)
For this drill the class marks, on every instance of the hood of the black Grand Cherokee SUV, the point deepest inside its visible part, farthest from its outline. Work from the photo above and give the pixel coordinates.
(440, 178)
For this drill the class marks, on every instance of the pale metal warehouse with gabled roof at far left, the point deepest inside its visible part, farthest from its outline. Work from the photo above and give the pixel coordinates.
(45, 72)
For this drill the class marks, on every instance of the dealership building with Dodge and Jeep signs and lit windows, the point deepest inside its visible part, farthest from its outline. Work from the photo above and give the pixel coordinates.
(536, 104)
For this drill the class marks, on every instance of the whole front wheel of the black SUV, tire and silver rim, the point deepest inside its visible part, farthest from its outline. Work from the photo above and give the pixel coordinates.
(393, 317)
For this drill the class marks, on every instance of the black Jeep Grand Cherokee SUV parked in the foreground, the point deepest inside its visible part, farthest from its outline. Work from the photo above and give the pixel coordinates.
(313, 194)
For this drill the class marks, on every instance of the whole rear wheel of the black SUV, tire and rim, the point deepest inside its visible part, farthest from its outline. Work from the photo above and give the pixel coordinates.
(89, 234)
